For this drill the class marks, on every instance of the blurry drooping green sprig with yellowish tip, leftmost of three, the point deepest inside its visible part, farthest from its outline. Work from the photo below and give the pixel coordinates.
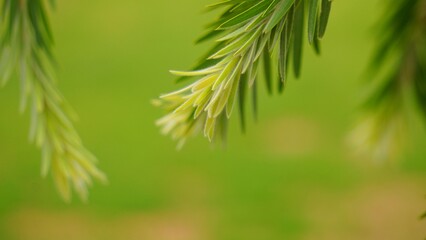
(26, 46)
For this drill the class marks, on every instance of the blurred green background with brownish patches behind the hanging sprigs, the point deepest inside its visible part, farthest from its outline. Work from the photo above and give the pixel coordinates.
(291, 176)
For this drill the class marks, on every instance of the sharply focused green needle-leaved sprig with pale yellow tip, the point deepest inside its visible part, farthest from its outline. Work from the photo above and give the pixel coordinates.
(248, 34)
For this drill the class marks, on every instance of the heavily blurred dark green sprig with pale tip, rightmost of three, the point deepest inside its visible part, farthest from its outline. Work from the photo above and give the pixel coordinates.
(401, 45)
